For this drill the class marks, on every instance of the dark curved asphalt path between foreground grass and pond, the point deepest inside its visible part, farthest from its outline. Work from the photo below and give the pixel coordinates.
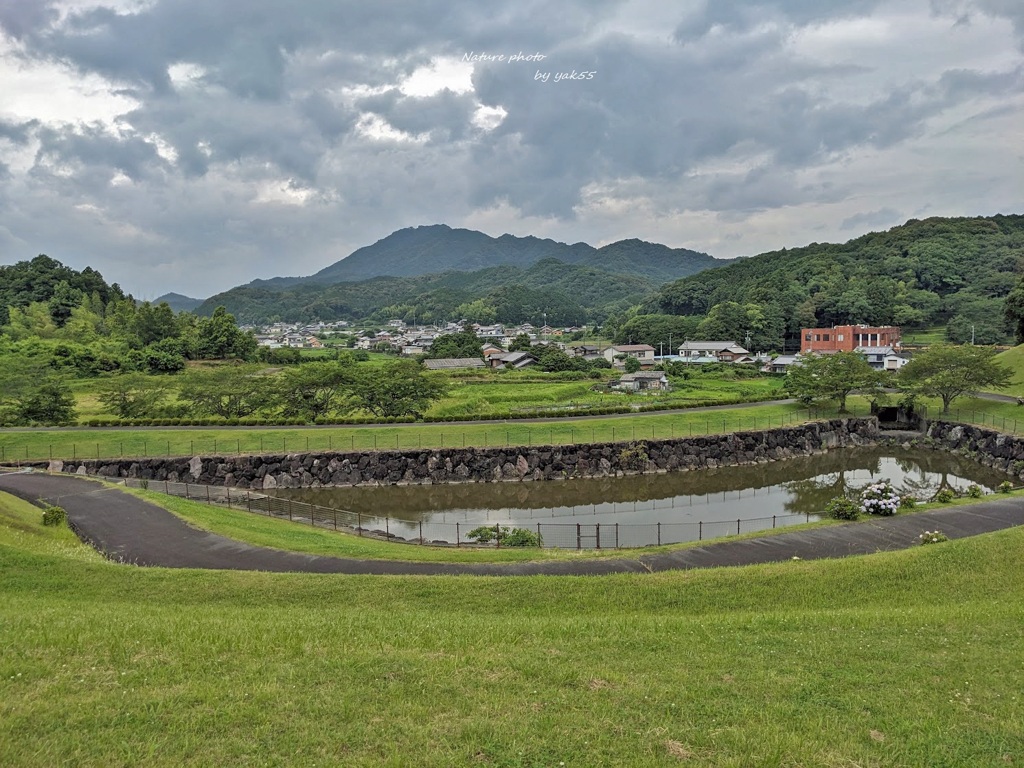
(130, 530)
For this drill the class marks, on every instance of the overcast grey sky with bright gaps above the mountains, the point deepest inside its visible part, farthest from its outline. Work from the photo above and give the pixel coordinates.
(192, 146)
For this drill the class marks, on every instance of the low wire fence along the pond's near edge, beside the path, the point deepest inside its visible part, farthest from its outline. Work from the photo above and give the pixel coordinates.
(428, 533)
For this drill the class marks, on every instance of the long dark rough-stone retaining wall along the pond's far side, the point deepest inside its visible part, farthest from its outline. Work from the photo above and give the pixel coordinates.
(488, 465)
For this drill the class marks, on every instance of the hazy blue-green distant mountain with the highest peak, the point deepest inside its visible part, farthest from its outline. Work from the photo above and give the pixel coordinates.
(430, 250)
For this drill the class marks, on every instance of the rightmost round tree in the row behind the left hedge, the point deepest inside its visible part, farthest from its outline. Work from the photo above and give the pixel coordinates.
(399, 389)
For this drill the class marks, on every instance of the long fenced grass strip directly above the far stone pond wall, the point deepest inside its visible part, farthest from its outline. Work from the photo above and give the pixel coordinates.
(63, 444)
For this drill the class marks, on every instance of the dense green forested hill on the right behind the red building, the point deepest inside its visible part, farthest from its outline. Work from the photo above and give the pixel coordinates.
(954, 272)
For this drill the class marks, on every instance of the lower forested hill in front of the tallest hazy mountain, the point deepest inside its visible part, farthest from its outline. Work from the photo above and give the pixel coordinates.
(569, 294)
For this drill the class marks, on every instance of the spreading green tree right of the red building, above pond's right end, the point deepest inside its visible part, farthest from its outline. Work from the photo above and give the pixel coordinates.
(949, 372)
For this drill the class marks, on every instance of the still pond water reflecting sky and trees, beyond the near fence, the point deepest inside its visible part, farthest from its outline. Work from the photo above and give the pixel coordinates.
(797, 487)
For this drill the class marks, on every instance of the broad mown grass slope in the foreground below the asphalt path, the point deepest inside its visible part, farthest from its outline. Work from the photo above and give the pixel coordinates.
(903, 659)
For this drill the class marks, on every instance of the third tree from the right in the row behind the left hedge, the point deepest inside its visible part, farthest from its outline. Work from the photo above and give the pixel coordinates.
(229, 392)
